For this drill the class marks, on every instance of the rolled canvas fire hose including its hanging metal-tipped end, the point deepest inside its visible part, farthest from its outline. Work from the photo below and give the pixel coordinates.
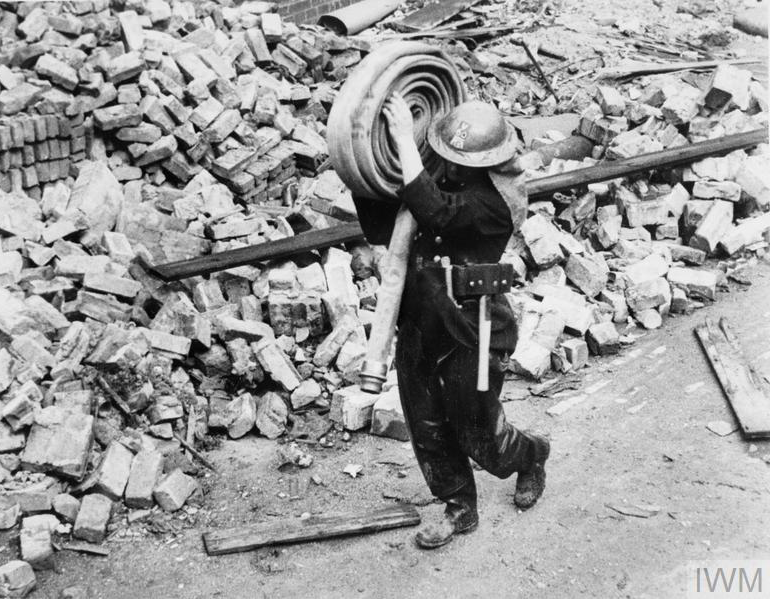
(365, 158)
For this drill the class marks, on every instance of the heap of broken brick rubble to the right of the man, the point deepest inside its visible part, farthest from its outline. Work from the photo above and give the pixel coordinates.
(632, 251)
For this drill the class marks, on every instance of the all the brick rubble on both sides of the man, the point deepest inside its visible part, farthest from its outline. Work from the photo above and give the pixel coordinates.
(165, 131)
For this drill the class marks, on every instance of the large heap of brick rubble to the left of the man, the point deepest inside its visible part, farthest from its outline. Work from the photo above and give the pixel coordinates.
(160, 132)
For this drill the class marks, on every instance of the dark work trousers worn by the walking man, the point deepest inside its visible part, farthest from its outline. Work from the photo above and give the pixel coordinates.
(450, 421)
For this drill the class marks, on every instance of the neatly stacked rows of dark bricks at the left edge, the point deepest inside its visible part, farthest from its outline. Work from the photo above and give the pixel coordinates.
(39, 149)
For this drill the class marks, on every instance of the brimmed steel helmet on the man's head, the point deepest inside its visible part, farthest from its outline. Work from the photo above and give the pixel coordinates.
(473, 134)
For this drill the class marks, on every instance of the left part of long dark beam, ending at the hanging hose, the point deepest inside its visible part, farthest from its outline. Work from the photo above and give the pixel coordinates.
(283, 248)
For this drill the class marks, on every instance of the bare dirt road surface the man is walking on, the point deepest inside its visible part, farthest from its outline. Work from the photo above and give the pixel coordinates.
(639, 436)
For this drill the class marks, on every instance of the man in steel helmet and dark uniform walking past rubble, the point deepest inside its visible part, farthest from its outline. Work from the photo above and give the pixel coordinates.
(453, 273)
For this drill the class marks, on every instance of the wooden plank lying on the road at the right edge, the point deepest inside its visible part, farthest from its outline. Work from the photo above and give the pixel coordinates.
(748, 396)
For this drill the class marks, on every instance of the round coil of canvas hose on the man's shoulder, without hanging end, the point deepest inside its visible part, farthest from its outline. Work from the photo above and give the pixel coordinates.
(359, 145)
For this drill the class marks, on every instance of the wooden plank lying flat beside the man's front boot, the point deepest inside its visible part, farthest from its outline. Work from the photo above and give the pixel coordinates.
(315, 528)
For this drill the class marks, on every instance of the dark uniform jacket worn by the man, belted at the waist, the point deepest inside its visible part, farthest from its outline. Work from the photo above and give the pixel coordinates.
(471, 225)
